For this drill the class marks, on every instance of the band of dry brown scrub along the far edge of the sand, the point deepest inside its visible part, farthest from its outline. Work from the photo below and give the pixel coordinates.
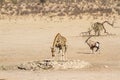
(62, 7)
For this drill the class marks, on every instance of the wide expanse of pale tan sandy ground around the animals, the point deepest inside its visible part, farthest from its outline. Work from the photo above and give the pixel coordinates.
(28, 40)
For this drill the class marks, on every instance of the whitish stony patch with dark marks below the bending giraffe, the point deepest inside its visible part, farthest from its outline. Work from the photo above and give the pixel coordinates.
(54, 65)
